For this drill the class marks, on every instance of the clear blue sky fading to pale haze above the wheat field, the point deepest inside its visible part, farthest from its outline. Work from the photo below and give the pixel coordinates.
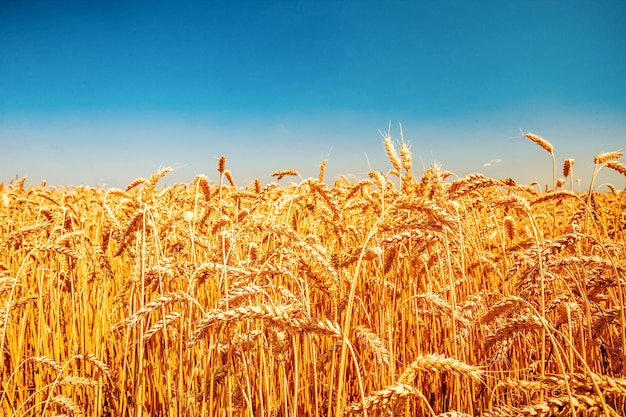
(105, 92)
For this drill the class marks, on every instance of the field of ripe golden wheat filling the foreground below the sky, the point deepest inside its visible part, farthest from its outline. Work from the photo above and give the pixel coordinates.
(399, 294)
